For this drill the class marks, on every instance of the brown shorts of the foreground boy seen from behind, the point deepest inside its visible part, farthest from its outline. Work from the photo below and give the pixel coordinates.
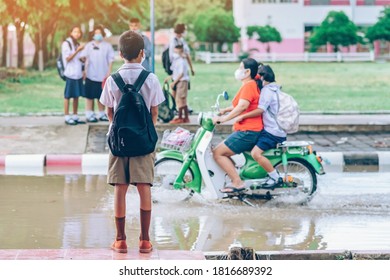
(131, 170)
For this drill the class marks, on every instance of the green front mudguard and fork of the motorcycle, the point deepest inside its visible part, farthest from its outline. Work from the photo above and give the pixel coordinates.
(196, 183)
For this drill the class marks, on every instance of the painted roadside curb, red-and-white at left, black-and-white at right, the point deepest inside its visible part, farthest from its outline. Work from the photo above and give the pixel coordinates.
(91, 164)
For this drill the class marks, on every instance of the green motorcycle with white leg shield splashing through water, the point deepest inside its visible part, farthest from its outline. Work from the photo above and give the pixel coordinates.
(186, 165)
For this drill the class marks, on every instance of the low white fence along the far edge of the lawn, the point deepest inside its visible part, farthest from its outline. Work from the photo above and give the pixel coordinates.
(209, 57)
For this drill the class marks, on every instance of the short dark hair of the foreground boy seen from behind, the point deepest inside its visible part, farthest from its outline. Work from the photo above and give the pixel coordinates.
(130, 44)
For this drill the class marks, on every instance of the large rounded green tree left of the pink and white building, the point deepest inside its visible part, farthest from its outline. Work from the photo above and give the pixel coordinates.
(216, 26)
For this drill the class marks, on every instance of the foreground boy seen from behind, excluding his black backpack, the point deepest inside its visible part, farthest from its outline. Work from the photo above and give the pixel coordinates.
(138, 171)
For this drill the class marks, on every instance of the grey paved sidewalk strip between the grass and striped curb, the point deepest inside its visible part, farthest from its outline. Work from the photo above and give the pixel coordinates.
(50, 135)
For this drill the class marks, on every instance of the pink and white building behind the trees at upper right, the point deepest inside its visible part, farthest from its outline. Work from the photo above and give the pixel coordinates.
(295, 19)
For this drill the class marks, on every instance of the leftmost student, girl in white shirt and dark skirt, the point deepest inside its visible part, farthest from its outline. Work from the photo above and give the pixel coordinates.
(71, 49)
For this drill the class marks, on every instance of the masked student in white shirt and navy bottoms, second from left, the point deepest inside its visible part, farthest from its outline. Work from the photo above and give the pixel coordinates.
(99, 56)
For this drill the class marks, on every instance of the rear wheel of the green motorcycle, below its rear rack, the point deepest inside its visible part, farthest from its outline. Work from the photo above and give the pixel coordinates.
(302, 175)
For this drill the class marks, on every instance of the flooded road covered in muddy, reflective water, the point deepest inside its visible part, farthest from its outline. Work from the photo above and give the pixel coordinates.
(349, 211)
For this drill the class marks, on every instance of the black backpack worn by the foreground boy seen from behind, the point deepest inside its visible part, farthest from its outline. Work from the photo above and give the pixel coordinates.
(132, 132)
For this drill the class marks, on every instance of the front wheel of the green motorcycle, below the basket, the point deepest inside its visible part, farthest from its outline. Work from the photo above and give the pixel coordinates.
(165, 173)
